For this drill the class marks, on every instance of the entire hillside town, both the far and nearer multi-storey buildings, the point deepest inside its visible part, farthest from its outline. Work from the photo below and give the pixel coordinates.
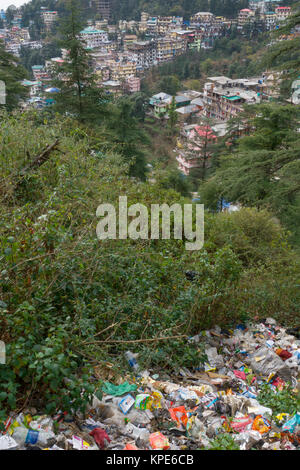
(123, 53)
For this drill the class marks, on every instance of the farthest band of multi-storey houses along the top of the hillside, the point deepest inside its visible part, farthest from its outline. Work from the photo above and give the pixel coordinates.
(123, 52)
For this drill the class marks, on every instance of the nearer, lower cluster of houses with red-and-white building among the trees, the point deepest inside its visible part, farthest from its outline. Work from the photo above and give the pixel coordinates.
(203, 116)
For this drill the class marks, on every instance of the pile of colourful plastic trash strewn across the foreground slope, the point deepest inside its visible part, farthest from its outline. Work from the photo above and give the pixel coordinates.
(190, 411)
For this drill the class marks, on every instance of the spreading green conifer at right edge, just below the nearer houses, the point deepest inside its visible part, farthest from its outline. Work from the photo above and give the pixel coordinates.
(264, 170)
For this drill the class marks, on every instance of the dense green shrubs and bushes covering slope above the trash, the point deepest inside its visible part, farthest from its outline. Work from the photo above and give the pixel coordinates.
(69, 301)
